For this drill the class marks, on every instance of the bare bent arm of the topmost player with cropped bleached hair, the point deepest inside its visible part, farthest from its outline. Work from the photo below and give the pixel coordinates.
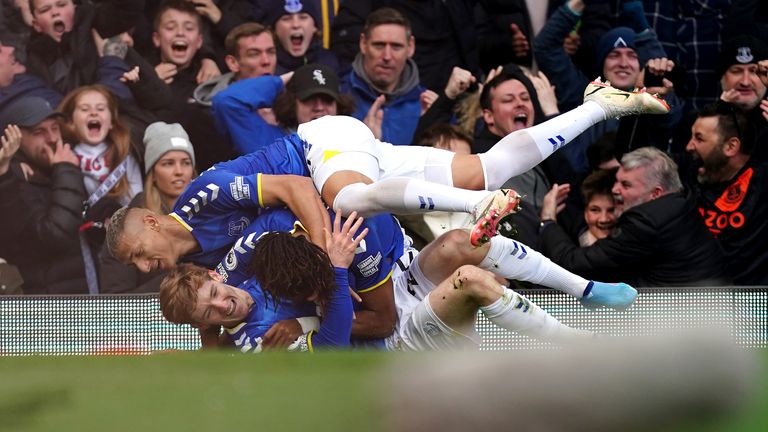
(300, 196)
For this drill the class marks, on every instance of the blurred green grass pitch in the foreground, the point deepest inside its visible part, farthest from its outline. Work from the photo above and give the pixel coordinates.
(223, 392)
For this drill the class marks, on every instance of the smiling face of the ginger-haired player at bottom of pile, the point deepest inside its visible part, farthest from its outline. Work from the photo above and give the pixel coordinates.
(221, 304)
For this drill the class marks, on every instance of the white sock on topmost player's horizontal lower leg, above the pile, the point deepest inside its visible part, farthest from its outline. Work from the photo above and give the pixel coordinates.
(405, 195)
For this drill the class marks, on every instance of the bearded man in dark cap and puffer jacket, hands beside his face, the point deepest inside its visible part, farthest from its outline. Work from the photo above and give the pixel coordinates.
(43, 193)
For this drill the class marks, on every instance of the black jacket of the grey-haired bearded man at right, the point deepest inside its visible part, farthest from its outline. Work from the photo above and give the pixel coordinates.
(659, 243)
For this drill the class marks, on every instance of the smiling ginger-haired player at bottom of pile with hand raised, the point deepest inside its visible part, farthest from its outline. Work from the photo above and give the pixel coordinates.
(194, 295)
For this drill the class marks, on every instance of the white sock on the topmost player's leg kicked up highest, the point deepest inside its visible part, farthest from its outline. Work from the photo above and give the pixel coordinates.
(521, 150)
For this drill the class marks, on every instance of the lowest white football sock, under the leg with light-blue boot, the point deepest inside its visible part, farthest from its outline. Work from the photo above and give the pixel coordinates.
(516, 313)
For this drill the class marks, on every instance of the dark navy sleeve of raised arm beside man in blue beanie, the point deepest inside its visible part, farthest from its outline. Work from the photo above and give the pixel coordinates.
(552, 59)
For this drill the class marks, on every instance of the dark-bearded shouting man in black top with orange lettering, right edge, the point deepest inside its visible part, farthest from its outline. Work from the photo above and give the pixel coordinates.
(731, 189)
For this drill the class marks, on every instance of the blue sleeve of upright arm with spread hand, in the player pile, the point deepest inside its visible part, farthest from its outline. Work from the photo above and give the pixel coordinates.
(336, 327)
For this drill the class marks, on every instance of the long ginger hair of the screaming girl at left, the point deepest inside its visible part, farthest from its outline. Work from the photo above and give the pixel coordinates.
(118, 139)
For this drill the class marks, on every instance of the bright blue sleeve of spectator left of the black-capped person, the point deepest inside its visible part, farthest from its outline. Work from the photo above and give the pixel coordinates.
(234, 112)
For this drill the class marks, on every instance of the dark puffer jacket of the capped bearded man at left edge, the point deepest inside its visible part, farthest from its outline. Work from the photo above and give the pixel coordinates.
(39, 221)
